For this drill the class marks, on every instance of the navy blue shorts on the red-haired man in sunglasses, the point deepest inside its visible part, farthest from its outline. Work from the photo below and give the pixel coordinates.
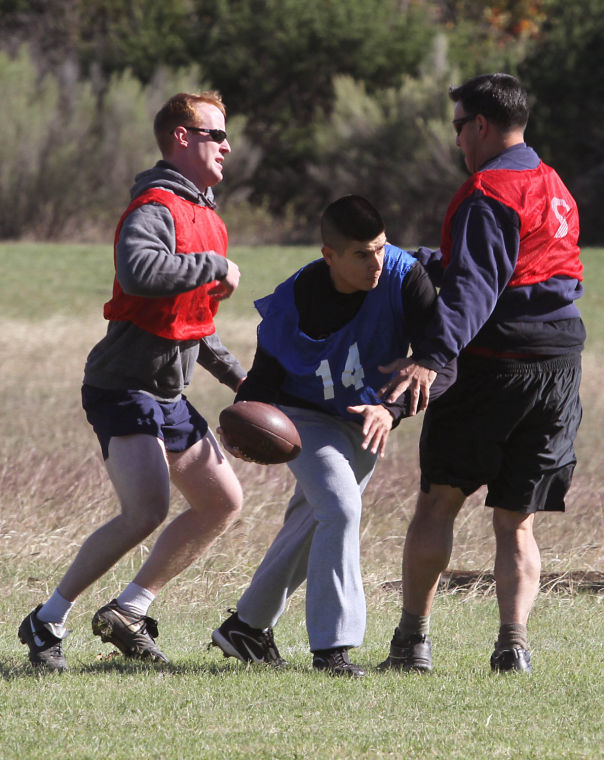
(114, 413)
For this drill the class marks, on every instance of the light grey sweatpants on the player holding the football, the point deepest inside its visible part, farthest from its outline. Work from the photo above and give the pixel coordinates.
(319, 540)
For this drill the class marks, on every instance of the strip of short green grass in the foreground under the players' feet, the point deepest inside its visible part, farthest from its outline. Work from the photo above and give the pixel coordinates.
(205, 706)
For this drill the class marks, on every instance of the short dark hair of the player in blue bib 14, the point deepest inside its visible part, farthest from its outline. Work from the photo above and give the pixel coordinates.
(350, 218)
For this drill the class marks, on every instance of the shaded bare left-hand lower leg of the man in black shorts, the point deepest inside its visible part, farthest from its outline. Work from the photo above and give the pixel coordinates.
(428, 546)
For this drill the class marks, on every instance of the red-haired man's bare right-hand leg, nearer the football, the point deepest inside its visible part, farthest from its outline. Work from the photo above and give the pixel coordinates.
(205, 478)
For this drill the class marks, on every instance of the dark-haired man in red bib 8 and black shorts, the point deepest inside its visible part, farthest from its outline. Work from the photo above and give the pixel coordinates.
(509, 276)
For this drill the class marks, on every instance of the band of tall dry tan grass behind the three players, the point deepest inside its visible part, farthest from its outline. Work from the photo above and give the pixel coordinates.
(54, 491)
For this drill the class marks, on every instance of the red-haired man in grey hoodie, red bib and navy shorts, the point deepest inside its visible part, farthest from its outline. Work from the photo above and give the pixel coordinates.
(171, 273)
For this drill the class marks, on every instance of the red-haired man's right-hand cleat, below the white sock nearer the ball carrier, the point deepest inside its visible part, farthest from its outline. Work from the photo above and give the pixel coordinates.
(132, 634)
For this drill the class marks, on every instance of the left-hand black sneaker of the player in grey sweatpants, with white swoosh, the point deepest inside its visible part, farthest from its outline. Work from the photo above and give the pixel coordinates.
(238, 639)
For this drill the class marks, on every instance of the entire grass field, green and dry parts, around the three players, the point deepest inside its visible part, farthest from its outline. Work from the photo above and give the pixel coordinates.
(54, 492)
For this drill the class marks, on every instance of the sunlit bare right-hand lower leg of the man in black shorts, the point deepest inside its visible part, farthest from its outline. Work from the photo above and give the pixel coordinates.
(517, 565)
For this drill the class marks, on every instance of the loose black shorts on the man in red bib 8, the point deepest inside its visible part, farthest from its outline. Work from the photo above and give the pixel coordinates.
(511, 427)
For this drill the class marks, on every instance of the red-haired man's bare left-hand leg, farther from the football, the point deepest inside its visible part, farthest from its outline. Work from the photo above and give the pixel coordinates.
(139, 472)
